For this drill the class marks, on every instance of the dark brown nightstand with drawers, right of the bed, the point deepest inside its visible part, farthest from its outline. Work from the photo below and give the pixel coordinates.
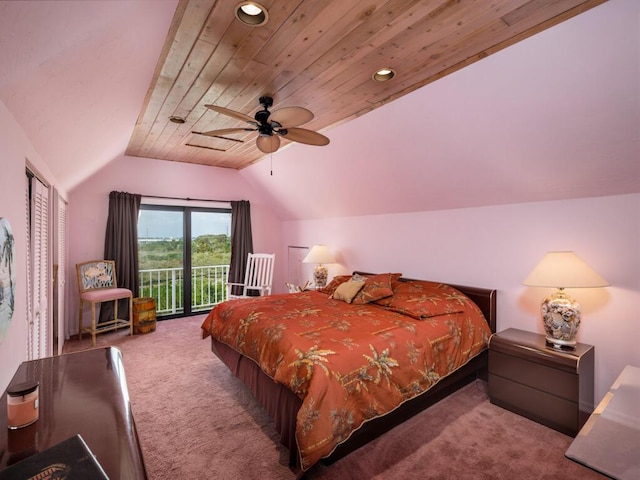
(545, 384)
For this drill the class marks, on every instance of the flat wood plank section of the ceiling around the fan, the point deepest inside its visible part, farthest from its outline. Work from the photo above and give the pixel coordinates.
(317, 54)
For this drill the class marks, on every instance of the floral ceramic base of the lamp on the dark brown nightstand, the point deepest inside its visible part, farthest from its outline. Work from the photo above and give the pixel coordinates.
(561, 318)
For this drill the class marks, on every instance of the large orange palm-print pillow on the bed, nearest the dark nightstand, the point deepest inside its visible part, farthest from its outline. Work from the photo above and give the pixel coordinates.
(420, 299)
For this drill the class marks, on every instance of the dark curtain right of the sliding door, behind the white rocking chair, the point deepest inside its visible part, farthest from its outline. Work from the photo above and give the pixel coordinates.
(241, 242)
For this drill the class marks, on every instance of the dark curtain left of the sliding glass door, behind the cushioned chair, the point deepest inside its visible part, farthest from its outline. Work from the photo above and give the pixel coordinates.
(121, 245)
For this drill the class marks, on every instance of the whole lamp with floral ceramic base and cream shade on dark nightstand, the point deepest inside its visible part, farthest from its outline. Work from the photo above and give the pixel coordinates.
(560, 313)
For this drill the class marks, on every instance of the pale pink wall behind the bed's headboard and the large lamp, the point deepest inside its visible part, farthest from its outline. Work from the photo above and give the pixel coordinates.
(496, 247)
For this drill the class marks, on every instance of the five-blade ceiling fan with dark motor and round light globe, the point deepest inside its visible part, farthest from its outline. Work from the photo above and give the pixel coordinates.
(272, 125)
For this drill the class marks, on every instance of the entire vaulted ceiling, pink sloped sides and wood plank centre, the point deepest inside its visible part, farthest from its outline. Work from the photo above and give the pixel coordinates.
(555, 115)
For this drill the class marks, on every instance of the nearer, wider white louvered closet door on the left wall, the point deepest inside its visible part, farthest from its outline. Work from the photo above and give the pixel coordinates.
(40, 337)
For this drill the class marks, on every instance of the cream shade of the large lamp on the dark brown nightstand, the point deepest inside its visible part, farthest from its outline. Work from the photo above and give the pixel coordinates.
(563, 270)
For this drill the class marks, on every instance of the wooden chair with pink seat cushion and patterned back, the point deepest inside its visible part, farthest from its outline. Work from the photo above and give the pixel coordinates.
(97, 283)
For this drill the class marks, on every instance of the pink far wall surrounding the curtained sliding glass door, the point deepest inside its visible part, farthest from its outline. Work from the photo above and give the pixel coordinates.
(88, 217)
